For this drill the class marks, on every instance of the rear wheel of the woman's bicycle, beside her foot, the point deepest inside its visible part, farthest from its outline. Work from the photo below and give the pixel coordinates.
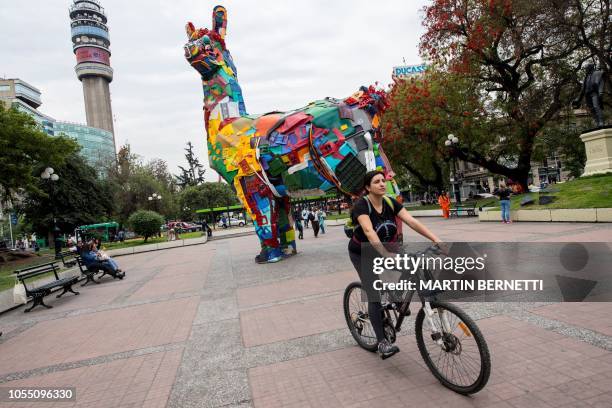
(357, 318)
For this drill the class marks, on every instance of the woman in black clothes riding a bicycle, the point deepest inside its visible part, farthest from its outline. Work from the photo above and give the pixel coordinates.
(374, 216)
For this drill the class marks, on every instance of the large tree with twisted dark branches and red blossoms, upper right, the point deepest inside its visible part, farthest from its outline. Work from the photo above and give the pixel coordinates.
(519, 60)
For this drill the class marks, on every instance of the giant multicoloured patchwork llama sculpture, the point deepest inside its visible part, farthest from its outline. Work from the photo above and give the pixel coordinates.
(328, 144)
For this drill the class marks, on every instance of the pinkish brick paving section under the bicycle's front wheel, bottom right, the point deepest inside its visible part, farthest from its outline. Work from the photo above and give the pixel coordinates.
(522, 374)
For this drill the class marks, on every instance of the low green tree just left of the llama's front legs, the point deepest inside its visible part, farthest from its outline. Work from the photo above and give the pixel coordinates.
(207, 195)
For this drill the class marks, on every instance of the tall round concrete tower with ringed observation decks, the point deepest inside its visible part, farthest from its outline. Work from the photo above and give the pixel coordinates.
(91, 45)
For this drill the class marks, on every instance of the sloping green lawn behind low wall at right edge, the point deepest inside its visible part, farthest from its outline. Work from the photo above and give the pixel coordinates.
(585, 192)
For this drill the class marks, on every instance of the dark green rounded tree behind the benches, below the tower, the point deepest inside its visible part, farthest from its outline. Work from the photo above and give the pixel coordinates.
(77, 198)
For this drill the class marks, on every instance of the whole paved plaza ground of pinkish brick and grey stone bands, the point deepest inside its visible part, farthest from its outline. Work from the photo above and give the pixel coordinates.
(204, 326)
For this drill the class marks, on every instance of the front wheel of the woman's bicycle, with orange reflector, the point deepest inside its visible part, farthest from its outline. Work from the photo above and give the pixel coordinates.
(463, 362)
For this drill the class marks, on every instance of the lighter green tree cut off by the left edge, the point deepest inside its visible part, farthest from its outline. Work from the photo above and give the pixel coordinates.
(24, 147)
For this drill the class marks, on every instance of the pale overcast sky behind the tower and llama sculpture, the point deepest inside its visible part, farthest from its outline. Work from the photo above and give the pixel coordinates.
(287, 54)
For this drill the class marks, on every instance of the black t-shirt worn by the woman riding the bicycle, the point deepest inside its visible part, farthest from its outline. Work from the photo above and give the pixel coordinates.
(384, 223)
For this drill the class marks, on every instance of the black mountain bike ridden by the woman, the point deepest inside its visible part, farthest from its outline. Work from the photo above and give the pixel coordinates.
(452, 333)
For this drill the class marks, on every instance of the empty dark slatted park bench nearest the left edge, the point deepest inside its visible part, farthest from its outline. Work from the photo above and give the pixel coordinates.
(38, 293)
